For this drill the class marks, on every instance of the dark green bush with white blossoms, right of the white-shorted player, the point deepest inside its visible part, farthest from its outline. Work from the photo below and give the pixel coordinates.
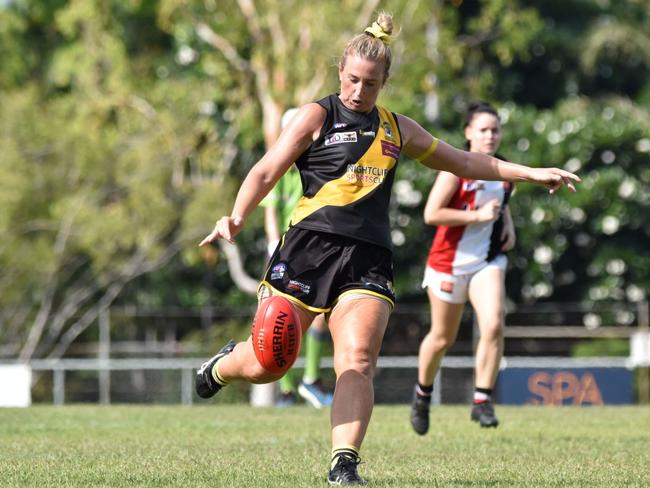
(589, 245)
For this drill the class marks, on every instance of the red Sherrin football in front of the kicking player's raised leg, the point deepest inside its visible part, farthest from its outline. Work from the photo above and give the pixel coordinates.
(276, 334)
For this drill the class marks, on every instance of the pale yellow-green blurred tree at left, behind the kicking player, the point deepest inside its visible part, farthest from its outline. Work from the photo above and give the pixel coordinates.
(103, 172)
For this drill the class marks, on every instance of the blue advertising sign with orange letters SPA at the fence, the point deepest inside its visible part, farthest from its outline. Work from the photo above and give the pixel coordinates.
(565, 386)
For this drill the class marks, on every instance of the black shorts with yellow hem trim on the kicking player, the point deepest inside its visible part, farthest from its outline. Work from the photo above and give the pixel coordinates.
(316, 269)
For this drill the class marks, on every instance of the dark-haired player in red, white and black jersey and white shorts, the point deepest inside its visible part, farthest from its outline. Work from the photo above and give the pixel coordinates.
(466, 261)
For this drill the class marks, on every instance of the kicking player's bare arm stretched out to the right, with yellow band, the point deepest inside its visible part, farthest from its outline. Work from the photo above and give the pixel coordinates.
(420, 145)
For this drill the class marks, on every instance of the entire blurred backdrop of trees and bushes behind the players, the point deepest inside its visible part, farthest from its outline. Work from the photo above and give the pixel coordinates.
(126, 128)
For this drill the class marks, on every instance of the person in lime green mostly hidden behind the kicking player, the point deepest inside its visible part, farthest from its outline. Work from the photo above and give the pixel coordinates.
(278, 205)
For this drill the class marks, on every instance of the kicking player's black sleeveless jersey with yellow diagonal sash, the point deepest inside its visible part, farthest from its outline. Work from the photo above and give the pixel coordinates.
(348, 172)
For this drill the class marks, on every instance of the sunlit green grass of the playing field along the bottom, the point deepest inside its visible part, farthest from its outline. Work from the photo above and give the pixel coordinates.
(238, 446)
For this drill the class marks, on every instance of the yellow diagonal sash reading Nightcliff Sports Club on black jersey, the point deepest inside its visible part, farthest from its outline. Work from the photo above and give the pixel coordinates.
(361, 178)
